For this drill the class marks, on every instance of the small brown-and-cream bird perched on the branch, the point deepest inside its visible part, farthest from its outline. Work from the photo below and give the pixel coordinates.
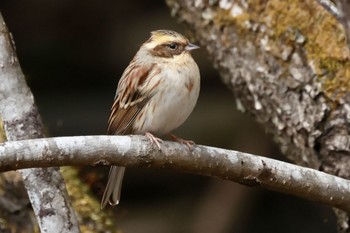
(155, 95)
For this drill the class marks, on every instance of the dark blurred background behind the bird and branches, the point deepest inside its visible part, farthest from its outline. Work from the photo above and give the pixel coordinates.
(73, 53)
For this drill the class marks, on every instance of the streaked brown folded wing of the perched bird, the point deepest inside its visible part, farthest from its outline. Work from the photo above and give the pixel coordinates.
(129, 101)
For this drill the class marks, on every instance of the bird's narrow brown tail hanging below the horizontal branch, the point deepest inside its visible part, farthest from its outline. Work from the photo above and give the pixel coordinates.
(114, 185)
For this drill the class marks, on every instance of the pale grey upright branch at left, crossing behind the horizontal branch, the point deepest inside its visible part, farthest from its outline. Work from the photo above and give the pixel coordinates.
(45, 187)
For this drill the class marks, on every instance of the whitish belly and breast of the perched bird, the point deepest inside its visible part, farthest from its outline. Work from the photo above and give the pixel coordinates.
(173, 104)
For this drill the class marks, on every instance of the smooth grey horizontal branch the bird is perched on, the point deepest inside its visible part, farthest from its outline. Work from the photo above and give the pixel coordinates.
(136, 151)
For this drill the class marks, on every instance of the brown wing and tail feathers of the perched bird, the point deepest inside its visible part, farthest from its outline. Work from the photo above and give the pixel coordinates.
(130, 99)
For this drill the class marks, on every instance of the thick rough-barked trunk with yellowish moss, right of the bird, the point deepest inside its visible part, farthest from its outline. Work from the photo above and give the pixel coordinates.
(287, 64)
